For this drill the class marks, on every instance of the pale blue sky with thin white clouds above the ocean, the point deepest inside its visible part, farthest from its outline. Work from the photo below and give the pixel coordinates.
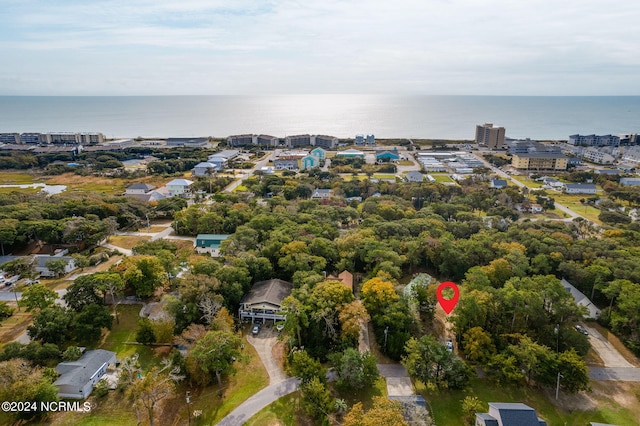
(191, 47)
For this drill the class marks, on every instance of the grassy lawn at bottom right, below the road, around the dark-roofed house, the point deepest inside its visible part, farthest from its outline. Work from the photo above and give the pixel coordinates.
(446, 405)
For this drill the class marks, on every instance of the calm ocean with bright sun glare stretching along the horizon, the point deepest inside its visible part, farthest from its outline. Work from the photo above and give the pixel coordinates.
(446, 117)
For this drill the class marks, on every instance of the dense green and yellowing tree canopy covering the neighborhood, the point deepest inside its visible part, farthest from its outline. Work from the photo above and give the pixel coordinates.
(514, 323)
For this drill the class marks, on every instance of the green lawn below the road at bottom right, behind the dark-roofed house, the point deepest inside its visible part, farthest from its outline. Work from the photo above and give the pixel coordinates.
(446, 405)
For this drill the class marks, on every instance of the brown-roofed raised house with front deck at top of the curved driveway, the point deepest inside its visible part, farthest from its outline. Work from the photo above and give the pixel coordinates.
(264, 301)
